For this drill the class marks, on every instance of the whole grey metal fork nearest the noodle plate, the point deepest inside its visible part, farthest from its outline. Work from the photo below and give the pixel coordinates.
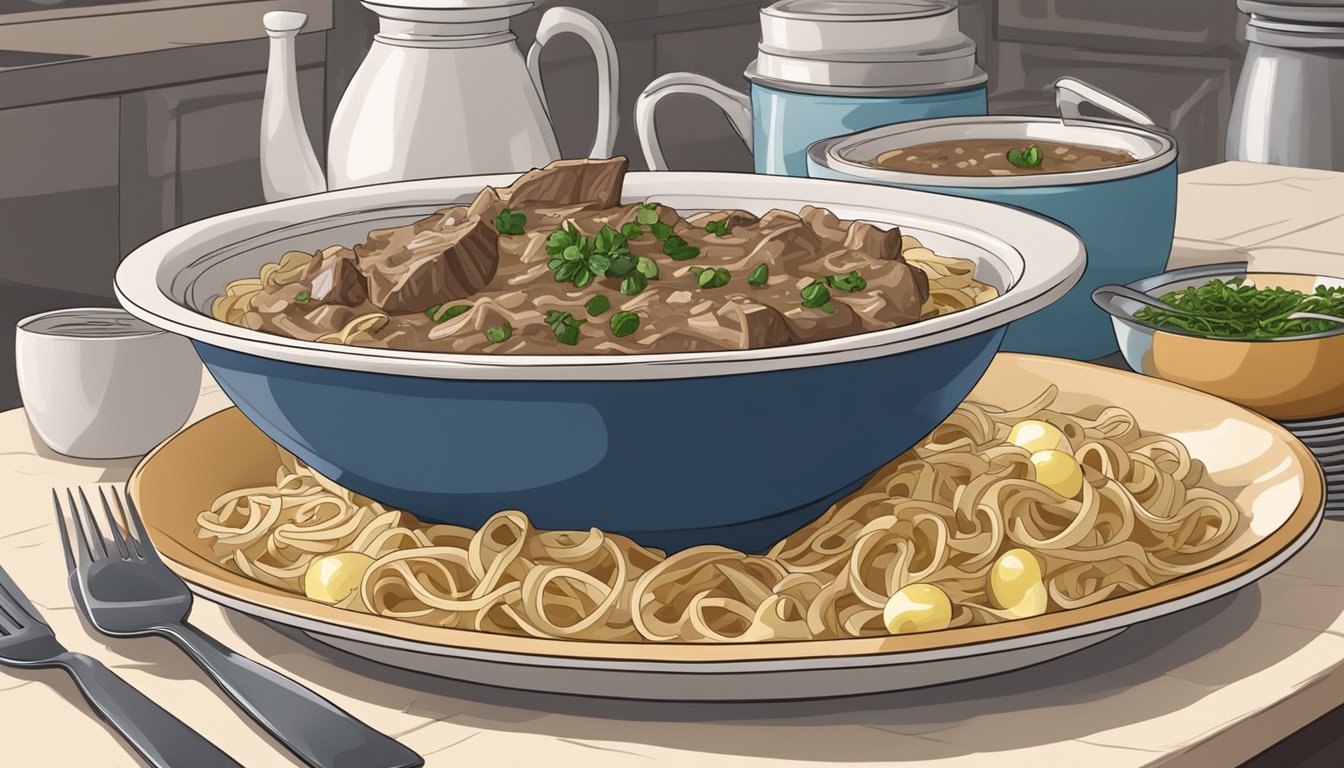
(126, 590)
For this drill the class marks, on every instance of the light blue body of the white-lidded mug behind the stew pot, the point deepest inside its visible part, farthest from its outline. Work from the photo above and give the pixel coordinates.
(787, 123)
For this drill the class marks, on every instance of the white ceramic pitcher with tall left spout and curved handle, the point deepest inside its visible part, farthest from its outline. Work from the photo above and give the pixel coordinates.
(443, 92)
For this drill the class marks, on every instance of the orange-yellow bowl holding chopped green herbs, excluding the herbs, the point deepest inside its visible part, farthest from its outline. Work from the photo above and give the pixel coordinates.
(1291, 379)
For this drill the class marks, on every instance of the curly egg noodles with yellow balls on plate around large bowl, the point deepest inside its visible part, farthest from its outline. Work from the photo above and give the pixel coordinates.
(968, 521)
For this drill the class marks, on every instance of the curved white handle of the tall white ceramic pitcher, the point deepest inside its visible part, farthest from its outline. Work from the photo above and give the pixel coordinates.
(564, 20)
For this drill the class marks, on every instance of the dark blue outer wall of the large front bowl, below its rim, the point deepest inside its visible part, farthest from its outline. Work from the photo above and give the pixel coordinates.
(698, 461)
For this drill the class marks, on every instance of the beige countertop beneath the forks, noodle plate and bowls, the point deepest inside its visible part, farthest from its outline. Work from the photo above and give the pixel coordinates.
(1205, 689)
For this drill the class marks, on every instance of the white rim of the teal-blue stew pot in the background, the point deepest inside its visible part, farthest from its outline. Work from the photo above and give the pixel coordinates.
(837, 154)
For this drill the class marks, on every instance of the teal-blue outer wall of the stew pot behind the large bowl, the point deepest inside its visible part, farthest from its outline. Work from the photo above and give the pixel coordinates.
(1127, 227)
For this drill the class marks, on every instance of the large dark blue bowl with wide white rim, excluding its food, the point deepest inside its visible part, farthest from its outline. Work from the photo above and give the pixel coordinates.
(736, 449)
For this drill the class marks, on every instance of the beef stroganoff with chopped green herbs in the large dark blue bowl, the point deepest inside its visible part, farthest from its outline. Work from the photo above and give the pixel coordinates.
(557, 264)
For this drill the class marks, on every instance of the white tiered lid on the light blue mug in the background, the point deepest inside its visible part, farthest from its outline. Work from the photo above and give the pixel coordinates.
(864, 44)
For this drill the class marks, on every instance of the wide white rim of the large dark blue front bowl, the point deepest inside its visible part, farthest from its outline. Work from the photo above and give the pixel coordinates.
(1056, 264)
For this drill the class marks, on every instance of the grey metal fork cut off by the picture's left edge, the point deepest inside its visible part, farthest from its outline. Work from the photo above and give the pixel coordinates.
(163, 740)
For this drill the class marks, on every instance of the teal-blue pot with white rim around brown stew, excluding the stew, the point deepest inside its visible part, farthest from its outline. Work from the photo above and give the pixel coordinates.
(1126, 216)
